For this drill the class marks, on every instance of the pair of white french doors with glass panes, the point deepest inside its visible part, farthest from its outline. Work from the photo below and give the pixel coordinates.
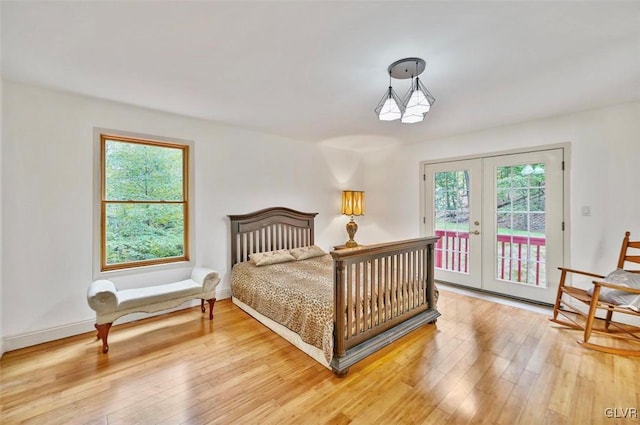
(500, 222)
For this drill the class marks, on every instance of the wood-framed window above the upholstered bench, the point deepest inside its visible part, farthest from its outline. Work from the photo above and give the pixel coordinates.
(144, 206)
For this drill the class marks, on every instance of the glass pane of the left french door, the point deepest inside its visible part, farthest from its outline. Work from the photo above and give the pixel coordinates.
(451, 220)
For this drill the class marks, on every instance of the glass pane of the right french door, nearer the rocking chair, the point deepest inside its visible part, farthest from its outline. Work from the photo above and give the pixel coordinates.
(520, 224)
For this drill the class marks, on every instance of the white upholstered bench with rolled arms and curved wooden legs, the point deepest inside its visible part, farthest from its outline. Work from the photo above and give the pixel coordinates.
(110, 303)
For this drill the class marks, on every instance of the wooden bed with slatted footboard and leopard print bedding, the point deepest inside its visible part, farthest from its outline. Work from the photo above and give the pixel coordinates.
(338, 307)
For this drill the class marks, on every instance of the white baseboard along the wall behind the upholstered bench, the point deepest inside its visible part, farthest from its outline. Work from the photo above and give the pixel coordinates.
(15, 342)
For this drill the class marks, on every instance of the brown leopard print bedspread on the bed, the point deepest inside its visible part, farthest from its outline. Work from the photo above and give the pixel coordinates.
(298, 295)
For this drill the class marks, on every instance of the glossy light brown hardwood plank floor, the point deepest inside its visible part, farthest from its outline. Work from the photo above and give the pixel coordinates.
(482, 363)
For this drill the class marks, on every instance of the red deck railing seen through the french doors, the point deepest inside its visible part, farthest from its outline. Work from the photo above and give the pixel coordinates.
(452, 253)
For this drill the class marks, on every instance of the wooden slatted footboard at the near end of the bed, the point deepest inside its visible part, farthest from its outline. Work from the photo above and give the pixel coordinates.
(381, 293)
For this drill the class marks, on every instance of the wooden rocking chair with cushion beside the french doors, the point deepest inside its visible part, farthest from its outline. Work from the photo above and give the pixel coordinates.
(575, 318)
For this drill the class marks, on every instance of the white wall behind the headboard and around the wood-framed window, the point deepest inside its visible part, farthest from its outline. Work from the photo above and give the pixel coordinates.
(47, 195)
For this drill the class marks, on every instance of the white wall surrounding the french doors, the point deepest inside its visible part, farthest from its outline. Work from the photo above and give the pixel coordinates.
(605, 159)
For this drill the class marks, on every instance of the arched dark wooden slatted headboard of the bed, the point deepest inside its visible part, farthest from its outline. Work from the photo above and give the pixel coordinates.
(269, 229)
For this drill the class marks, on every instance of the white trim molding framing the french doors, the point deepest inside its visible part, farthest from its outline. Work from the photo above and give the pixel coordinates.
(566, 146)
